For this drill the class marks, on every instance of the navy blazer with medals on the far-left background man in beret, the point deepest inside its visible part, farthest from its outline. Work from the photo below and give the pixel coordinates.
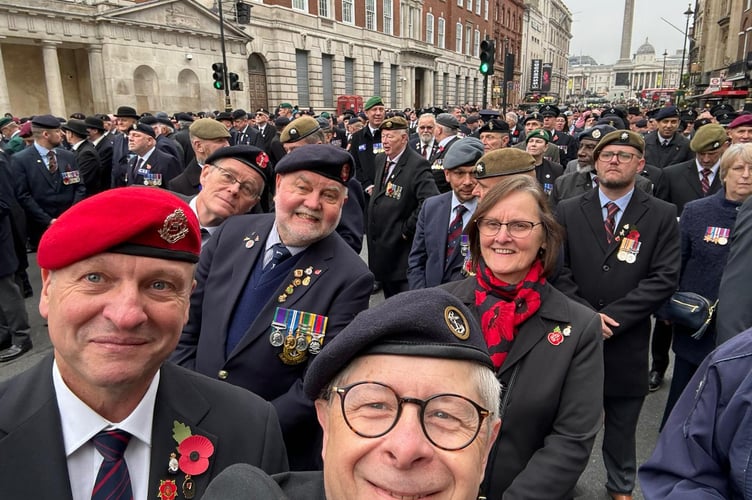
(44, 196)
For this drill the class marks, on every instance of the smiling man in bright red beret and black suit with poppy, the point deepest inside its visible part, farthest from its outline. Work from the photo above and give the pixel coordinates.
(105, 416)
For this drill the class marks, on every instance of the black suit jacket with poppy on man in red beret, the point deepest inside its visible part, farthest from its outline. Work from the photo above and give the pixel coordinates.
(31, 439)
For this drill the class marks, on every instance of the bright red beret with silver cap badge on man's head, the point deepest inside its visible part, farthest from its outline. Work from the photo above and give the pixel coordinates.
(135, 220)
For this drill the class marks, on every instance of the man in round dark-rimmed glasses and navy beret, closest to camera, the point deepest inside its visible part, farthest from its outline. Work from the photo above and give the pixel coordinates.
(383, 391)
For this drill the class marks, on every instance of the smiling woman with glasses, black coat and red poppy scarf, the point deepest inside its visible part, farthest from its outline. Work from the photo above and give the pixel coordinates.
(547, 349)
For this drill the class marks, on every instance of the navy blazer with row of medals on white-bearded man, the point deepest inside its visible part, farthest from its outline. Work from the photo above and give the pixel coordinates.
(340, 287)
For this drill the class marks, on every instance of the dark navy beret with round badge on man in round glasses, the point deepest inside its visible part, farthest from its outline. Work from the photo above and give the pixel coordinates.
(428, 323)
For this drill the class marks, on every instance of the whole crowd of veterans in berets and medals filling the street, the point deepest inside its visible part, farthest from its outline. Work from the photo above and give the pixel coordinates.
(525, 259)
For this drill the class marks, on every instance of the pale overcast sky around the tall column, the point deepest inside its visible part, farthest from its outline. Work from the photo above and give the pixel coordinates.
(597, 27)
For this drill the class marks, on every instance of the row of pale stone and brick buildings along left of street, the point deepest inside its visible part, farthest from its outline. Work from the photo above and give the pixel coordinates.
(65, 56)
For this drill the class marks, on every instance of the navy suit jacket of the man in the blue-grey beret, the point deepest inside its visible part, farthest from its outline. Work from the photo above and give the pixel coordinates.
(426, 266)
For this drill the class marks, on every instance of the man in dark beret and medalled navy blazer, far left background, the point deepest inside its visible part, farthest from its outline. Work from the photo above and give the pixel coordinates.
(47, 178)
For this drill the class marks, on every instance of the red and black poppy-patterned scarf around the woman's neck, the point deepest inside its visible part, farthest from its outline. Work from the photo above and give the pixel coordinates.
(504, 307)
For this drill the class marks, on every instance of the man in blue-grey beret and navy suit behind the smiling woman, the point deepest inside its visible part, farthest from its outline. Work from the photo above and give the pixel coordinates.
(436, 256)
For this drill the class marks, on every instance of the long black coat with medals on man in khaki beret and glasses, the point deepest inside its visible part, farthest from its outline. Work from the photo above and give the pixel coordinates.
(629, 293)
